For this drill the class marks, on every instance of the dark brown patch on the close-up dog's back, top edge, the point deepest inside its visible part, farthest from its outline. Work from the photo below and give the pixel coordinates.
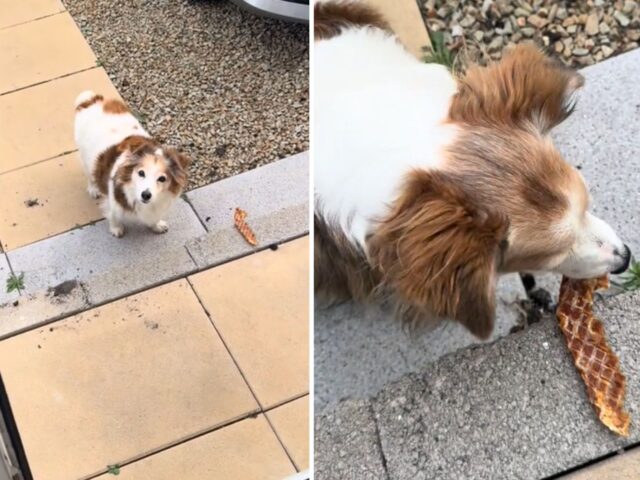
(332, 17)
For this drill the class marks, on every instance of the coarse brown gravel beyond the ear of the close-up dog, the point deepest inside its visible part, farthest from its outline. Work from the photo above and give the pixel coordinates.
(578, 32)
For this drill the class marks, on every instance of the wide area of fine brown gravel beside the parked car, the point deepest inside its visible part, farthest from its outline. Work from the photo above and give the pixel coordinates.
(227, 87)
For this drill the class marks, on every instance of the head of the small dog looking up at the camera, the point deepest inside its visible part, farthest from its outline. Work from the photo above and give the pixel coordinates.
(150, 173)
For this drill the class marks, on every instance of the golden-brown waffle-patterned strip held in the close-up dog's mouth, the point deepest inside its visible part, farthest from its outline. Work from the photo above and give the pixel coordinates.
(597, 364)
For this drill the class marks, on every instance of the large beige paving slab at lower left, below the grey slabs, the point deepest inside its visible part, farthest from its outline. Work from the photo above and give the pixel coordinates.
(120, 381)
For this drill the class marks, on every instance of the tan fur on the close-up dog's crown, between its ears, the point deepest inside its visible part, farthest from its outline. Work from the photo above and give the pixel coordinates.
(522, 175)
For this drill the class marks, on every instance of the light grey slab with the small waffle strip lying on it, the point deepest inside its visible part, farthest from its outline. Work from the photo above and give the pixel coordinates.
(275, 197)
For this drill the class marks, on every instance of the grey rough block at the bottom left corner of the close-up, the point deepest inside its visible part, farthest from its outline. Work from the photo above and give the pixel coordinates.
(347, 444)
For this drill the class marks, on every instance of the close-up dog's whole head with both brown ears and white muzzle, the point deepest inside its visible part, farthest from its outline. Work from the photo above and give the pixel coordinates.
(505, 201)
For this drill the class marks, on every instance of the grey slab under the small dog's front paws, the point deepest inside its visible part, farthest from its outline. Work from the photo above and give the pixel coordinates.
(107, 266)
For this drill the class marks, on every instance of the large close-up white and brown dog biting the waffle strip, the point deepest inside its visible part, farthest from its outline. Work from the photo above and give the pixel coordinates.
(427, 186)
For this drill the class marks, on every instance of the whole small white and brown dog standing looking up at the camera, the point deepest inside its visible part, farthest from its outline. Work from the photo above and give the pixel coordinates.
(138, 177)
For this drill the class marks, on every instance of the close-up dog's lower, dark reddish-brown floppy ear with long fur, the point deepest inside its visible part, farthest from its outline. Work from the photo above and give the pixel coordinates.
(439, 253)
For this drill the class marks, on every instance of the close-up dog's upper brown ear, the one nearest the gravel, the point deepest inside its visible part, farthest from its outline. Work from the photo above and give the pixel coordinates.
(525, 86)
